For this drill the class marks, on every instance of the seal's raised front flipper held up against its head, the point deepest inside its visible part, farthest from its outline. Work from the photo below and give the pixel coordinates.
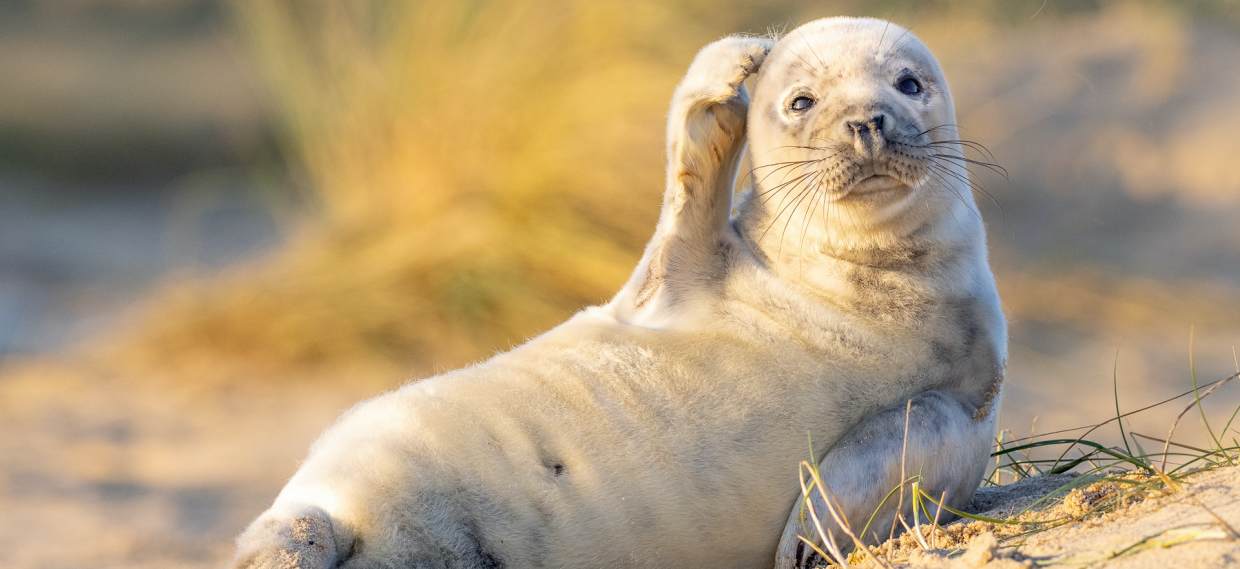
(706, 132)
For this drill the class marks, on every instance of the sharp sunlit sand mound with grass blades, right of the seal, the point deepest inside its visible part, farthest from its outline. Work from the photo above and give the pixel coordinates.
(1193, 527)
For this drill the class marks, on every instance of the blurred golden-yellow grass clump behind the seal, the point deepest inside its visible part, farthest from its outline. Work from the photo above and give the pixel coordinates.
(479, 170)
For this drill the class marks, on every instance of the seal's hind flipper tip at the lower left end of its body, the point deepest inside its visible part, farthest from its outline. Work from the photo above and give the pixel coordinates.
(291, 539)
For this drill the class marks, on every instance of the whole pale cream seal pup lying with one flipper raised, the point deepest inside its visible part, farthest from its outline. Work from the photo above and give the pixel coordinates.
(664, 428)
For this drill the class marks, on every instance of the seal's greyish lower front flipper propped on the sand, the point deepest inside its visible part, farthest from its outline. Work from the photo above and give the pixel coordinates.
(948, 447)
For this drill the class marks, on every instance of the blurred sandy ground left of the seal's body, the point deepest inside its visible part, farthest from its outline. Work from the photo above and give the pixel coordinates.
(107, 473)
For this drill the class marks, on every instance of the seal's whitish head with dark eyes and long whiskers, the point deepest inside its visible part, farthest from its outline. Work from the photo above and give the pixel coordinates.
(859, 111)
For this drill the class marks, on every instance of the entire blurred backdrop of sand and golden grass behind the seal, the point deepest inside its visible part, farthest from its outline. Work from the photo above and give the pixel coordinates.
(221, 224)
